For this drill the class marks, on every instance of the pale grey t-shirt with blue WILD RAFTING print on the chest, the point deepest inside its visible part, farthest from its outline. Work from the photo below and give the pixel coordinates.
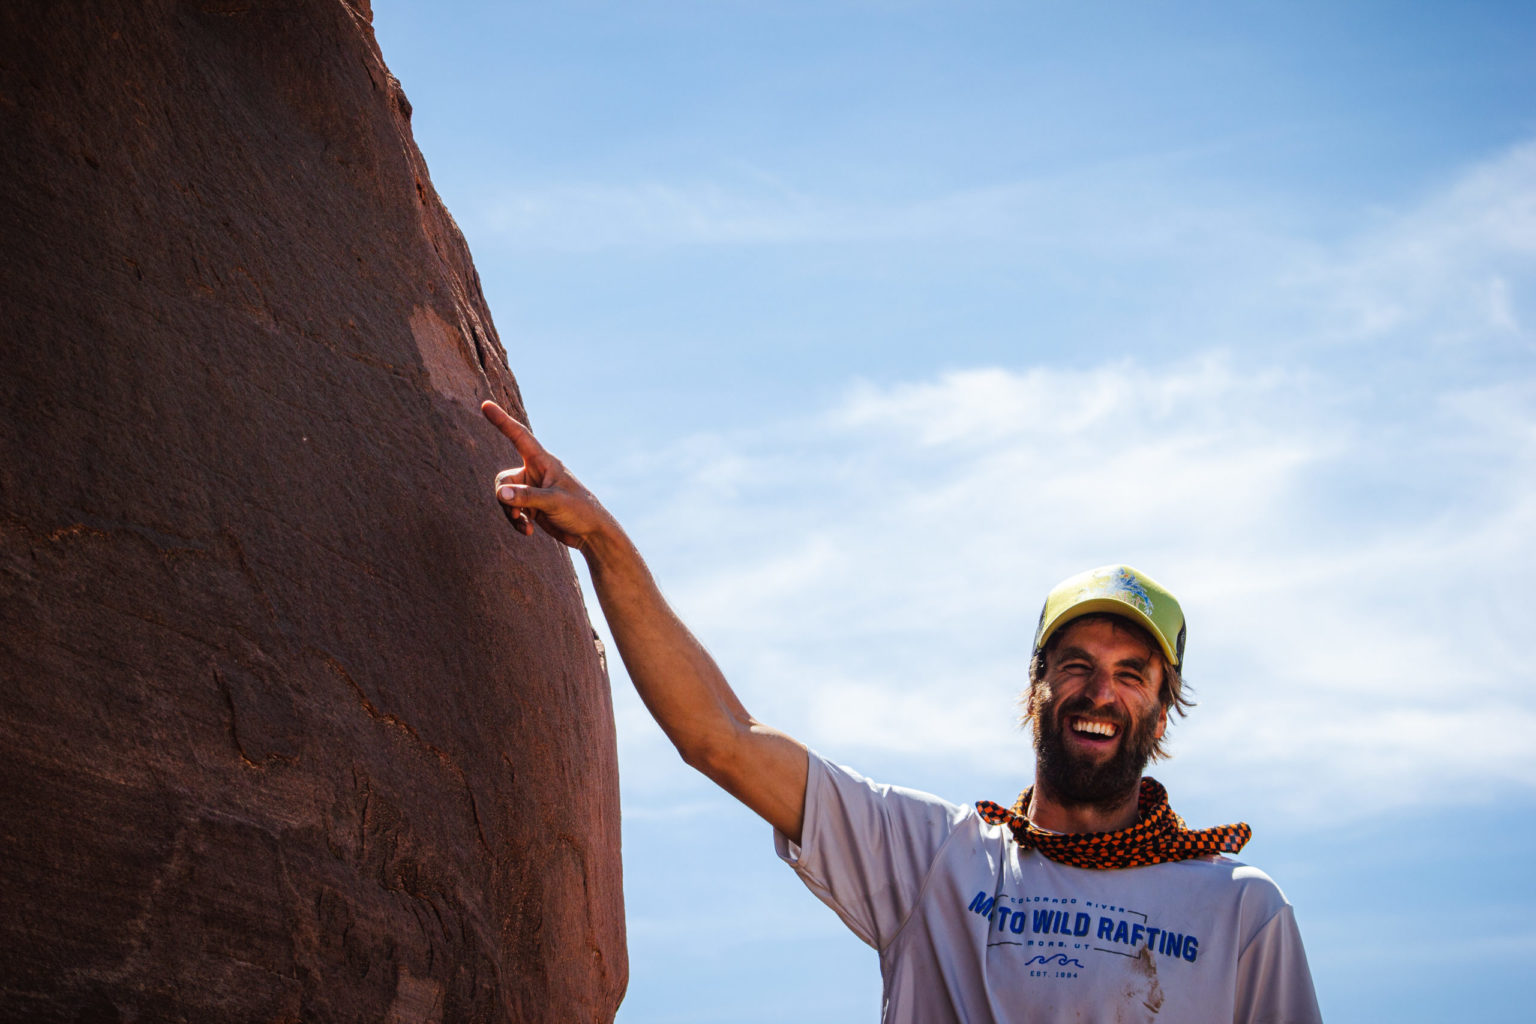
(972, 928)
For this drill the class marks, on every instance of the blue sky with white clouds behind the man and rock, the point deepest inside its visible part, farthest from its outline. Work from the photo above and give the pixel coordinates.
(875, 320)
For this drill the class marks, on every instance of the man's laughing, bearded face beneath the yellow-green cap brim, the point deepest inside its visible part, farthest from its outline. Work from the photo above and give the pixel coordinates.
(1101, 715)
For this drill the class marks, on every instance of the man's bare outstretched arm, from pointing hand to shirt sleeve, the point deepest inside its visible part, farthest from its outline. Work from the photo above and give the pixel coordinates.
(675, 676)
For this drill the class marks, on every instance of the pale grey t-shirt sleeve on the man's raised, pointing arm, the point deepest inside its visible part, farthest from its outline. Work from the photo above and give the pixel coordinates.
(866, 848)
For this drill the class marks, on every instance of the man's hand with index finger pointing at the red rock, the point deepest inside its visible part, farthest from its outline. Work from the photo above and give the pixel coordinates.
(545, 492)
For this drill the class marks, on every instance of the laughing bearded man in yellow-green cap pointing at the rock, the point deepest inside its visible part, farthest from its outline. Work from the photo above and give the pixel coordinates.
(1088, 900)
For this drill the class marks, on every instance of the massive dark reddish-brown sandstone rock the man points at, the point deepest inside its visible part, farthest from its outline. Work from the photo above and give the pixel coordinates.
(294, 727)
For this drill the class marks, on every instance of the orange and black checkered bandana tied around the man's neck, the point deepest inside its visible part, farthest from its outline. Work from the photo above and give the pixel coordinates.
(1156, 839)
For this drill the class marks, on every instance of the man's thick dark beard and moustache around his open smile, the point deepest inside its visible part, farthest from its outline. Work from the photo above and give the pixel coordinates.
(1079, 782)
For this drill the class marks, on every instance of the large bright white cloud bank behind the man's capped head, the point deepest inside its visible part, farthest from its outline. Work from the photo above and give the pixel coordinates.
(887, 593)
